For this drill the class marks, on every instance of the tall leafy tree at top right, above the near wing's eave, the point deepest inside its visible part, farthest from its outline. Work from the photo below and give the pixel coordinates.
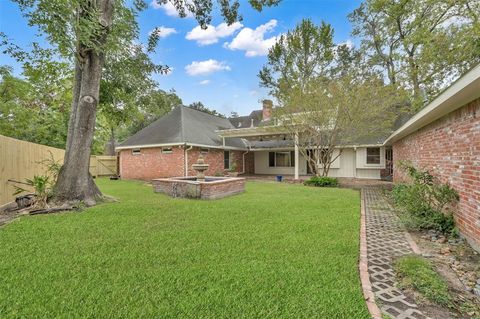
(422, 45)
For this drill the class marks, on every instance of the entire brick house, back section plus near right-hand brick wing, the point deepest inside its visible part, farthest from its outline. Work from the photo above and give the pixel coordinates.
(444, 137)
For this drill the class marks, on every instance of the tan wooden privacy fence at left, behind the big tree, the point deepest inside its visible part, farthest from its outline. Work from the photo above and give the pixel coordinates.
(20, 160)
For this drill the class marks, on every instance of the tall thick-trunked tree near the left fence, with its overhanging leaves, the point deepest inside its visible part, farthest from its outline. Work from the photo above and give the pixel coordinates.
(87, 32)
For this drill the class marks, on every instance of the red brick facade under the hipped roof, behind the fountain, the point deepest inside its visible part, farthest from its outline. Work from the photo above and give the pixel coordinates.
(151, 163)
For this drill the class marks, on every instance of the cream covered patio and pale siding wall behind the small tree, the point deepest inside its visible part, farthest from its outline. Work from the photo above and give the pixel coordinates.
(276, 152)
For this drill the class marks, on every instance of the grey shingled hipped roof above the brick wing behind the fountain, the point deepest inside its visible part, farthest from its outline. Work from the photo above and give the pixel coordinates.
(185, 125)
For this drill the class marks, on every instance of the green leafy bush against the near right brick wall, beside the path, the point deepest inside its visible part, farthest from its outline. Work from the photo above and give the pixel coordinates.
(425, 201)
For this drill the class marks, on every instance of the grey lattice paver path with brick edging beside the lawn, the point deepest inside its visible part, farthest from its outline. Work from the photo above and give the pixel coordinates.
(382, 240)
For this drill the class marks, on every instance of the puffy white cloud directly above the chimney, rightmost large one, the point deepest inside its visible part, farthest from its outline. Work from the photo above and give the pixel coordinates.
(253, 41)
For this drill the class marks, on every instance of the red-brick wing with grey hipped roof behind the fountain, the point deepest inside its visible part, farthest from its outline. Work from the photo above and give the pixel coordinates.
(169, 146)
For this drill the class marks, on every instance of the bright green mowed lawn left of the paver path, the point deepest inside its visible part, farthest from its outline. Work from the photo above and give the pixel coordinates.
(276, 251)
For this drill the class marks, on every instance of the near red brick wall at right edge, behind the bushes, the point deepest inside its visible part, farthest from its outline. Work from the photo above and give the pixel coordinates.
(450, 149)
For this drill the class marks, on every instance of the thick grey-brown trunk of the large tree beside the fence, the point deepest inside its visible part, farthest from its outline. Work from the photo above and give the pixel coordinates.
(74, 183)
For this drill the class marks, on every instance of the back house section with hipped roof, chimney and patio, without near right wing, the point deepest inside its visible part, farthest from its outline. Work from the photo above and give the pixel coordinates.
(169, 146)
